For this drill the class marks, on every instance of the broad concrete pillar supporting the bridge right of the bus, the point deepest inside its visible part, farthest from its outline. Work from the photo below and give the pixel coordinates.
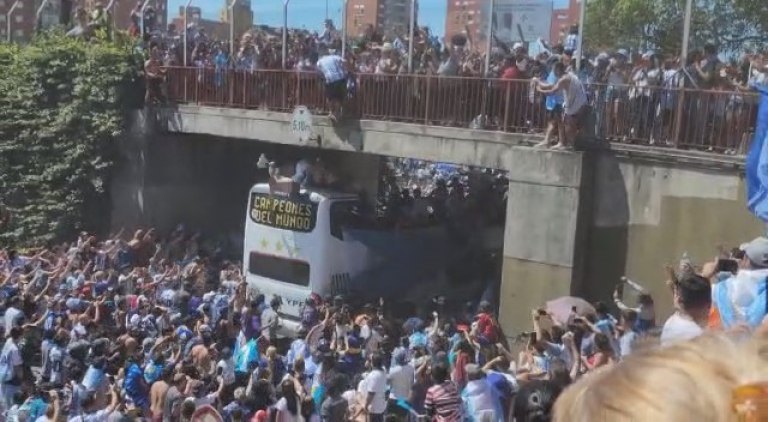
(542, 232)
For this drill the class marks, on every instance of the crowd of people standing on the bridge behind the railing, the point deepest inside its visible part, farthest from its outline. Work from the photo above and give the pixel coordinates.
(633, 95)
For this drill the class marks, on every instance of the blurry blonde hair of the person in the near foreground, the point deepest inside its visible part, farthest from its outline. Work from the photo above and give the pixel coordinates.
(691, 380)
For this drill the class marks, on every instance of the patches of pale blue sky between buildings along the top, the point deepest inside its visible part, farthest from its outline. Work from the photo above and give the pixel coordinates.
(311, 13)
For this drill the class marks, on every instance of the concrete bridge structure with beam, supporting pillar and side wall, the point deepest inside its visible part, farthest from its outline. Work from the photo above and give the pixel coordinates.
(575, 223)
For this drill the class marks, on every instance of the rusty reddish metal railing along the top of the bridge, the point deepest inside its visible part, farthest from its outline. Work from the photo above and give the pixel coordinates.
(719, 120)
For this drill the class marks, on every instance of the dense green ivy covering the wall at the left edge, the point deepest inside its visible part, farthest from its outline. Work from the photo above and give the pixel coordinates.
(61, 113)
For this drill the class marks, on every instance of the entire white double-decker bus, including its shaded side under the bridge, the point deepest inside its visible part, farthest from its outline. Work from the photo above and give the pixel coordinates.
(312, 240)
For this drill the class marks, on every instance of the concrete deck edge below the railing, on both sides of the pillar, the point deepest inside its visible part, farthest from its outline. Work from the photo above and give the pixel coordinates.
(457, 145)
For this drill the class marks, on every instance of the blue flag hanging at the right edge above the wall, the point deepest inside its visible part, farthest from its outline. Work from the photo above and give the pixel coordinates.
(757, 161)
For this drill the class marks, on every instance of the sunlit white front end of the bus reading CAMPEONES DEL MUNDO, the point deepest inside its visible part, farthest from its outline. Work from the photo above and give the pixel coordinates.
(292, 248)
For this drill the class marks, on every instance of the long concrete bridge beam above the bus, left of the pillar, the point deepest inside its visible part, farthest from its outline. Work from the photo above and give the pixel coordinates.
(454, 145)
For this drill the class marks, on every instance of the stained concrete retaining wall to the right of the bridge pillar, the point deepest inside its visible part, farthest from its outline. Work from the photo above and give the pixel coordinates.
(647, 213)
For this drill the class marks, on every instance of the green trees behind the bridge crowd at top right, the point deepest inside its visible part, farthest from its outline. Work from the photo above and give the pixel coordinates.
(732, 25)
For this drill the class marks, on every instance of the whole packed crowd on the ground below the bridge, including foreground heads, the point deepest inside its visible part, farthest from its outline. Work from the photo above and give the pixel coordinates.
(157, 328)
